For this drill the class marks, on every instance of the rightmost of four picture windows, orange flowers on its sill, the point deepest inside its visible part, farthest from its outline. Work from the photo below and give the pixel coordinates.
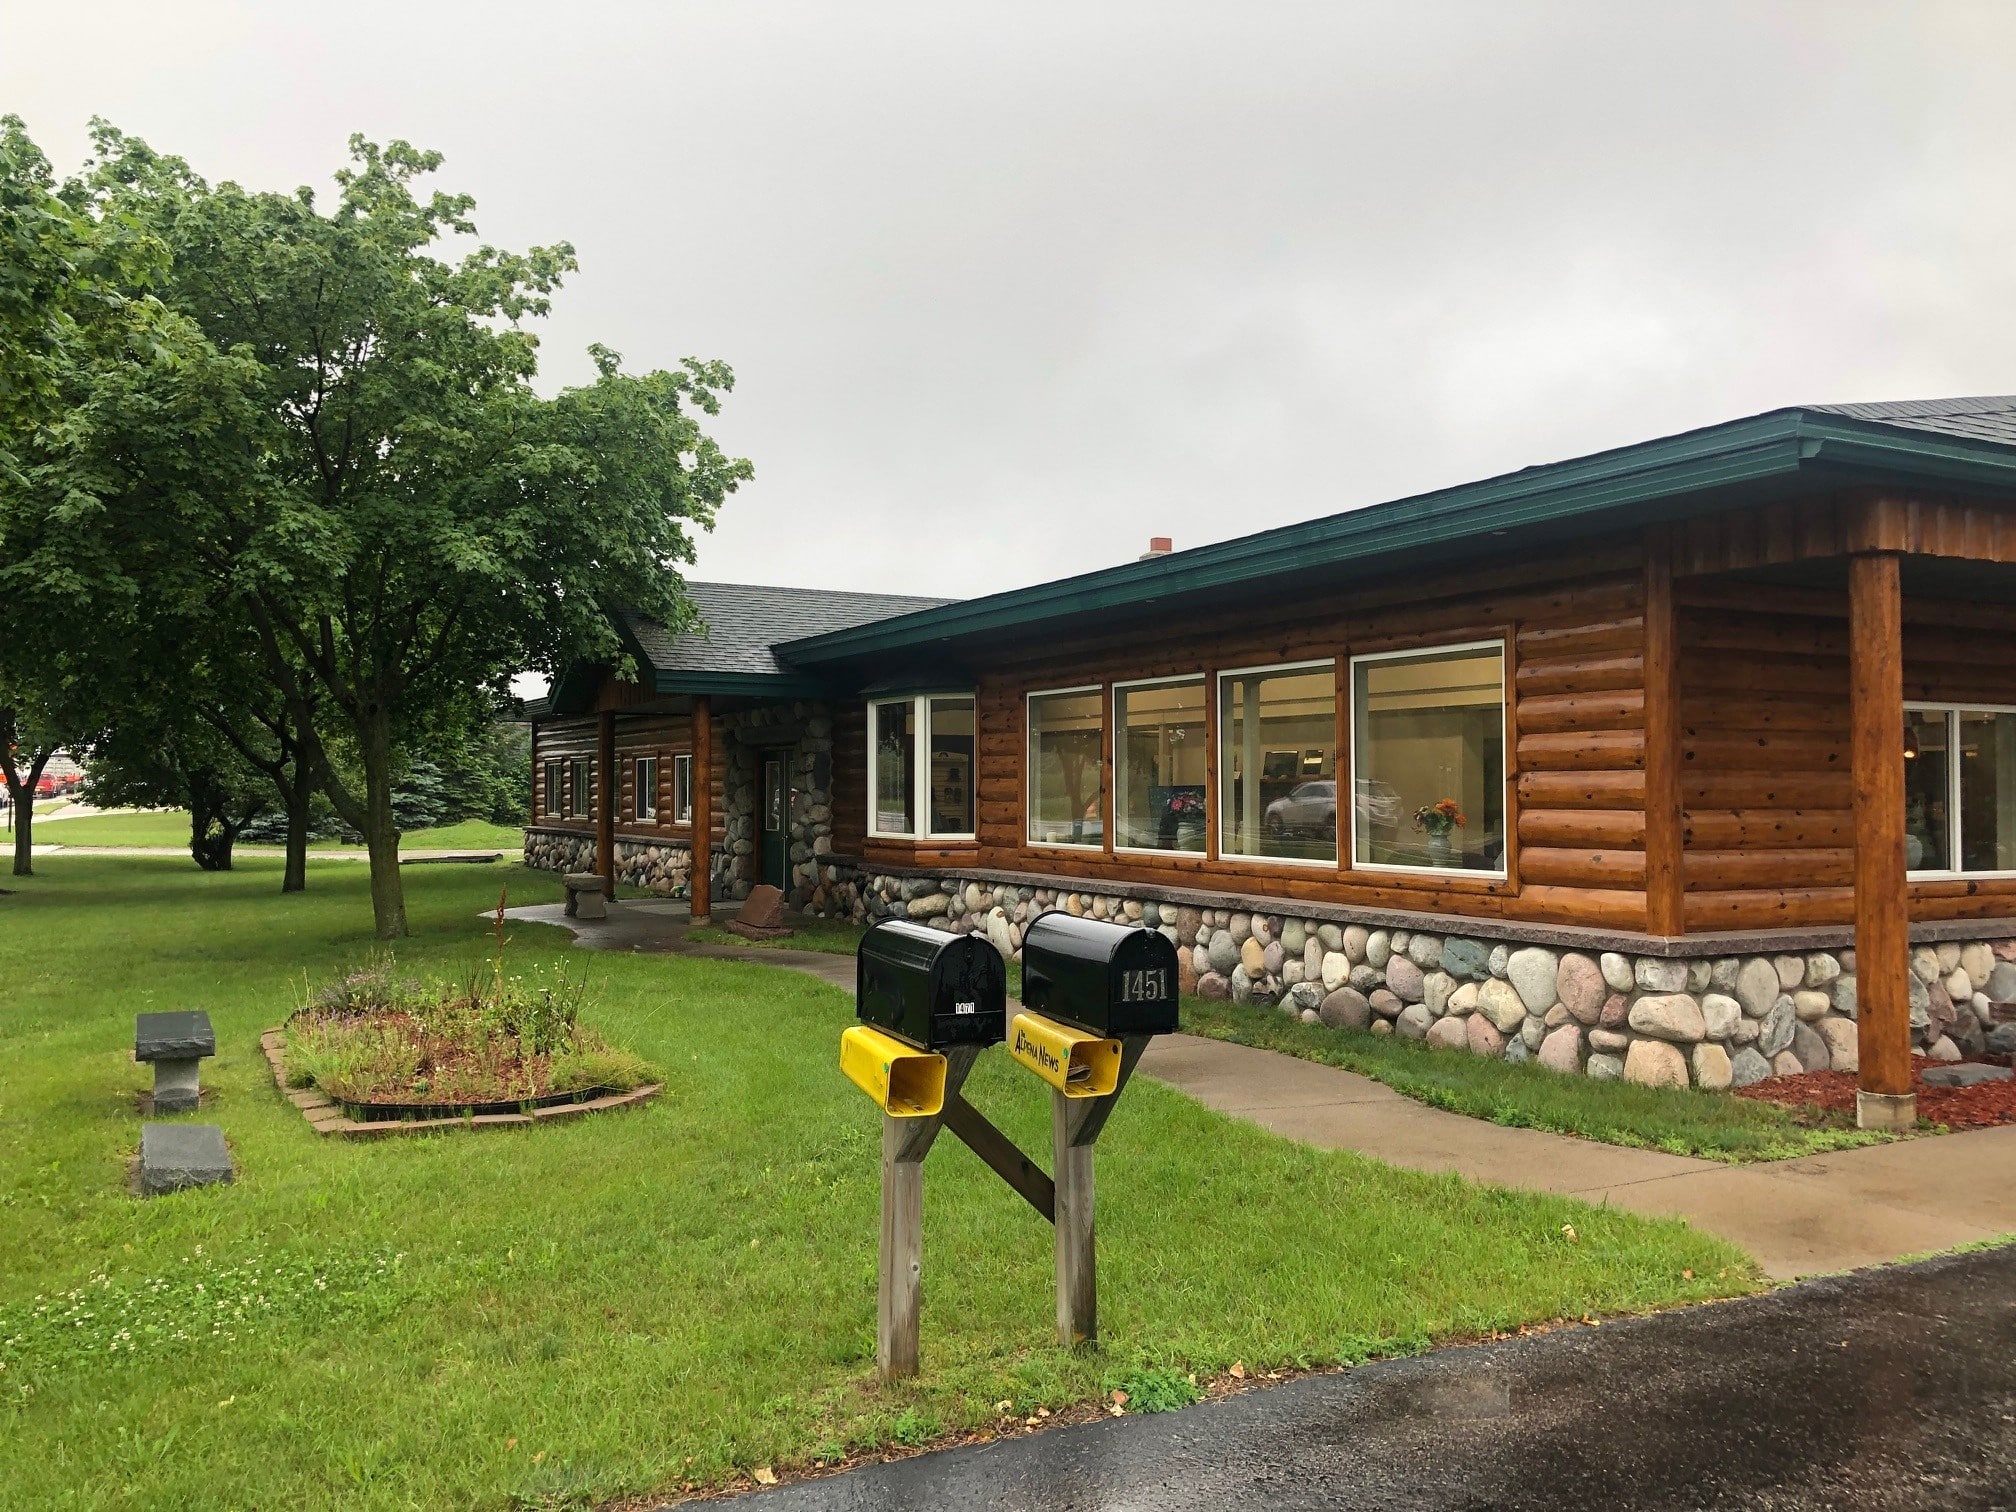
(1428, 759)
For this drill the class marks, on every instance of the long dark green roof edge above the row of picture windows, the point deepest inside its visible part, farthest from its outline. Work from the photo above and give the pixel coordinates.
(1783, 451)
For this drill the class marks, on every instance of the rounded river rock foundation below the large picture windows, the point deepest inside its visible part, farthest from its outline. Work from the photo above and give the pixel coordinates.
(1711, 1023)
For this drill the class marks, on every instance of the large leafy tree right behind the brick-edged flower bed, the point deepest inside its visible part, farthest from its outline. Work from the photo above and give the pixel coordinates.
(396, 511)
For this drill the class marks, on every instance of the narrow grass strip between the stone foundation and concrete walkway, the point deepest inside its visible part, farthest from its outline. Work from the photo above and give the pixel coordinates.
(1713, 1126)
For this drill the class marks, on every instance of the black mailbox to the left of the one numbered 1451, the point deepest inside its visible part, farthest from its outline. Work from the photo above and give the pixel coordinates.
(930, 987)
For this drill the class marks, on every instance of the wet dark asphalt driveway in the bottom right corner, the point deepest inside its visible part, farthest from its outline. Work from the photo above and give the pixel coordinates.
(1880, 1390)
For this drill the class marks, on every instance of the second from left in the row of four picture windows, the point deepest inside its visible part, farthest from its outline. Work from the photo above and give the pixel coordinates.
(1160, 765)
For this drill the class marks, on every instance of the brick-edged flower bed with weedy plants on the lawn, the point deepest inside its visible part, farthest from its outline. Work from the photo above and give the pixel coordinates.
(390, 1047)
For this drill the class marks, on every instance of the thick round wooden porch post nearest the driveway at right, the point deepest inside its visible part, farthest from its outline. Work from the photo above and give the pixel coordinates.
(1882, 910)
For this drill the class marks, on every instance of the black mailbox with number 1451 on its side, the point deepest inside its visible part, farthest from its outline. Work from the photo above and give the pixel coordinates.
(1104, 979)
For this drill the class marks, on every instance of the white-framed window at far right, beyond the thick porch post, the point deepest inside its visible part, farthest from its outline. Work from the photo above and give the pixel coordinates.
(1969, 753)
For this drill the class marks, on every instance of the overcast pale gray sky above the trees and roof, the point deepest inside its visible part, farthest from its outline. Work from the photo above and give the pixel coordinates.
(1013, 287)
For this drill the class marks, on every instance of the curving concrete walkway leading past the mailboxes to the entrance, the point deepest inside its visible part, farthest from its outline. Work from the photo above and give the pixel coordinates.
(1799, 1219)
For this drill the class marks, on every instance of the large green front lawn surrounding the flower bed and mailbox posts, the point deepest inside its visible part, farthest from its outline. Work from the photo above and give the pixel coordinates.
(620, 1305)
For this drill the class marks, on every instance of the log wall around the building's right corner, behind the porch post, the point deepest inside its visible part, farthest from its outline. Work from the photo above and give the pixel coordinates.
(1765, 765)
